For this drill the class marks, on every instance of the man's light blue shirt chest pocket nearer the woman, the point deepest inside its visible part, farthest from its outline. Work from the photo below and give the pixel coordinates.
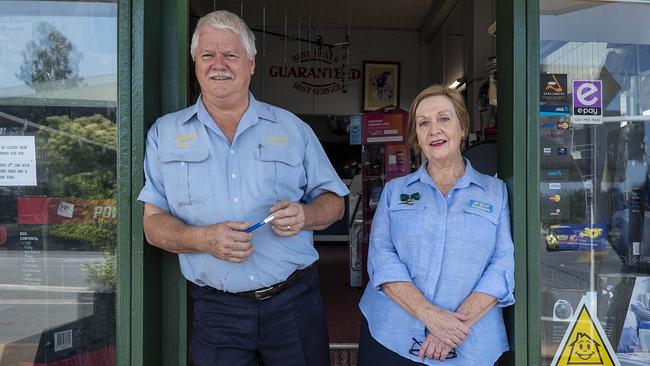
(280, 174)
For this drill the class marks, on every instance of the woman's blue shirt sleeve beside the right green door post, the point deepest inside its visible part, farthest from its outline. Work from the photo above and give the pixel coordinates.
(498, 278)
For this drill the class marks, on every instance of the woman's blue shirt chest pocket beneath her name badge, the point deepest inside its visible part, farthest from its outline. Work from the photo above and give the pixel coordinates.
(481, 229)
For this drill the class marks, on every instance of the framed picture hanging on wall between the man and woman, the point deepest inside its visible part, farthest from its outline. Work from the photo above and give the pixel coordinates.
(380, 85)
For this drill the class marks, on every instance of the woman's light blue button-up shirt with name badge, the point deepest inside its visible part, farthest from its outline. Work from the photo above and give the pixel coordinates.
(447, 246)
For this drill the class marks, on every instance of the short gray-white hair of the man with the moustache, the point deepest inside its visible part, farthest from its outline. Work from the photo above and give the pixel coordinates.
(223, 19)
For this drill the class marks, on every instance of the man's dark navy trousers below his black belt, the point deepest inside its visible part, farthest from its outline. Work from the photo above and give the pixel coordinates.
(287, 329)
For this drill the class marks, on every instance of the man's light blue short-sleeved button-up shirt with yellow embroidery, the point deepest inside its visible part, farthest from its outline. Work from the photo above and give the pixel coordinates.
(196, 175)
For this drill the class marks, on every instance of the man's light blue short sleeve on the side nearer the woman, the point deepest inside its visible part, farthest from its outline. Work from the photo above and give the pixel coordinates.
(321, 176)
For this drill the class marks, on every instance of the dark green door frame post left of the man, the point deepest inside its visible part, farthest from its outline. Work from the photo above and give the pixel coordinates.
(152, 80)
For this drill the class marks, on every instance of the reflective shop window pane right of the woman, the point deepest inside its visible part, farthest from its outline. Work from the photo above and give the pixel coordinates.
(594, 178)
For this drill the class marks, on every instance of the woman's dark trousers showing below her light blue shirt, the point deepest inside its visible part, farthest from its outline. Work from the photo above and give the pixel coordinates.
(372, 353)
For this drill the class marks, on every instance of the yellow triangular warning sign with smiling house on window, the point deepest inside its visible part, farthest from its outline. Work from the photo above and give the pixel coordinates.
(585, 342)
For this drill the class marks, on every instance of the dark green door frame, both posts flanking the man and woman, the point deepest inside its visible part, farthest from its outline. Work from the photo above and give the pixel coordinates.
(153, 69)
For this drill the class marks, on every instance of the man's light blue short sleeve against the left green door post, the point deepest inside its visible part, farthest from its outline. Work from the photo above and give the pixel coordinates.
(153, 191)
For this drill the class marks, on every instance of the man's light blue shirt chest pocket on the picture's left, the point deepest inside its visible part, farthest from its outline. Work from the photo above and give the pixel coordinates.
(186, 175)
